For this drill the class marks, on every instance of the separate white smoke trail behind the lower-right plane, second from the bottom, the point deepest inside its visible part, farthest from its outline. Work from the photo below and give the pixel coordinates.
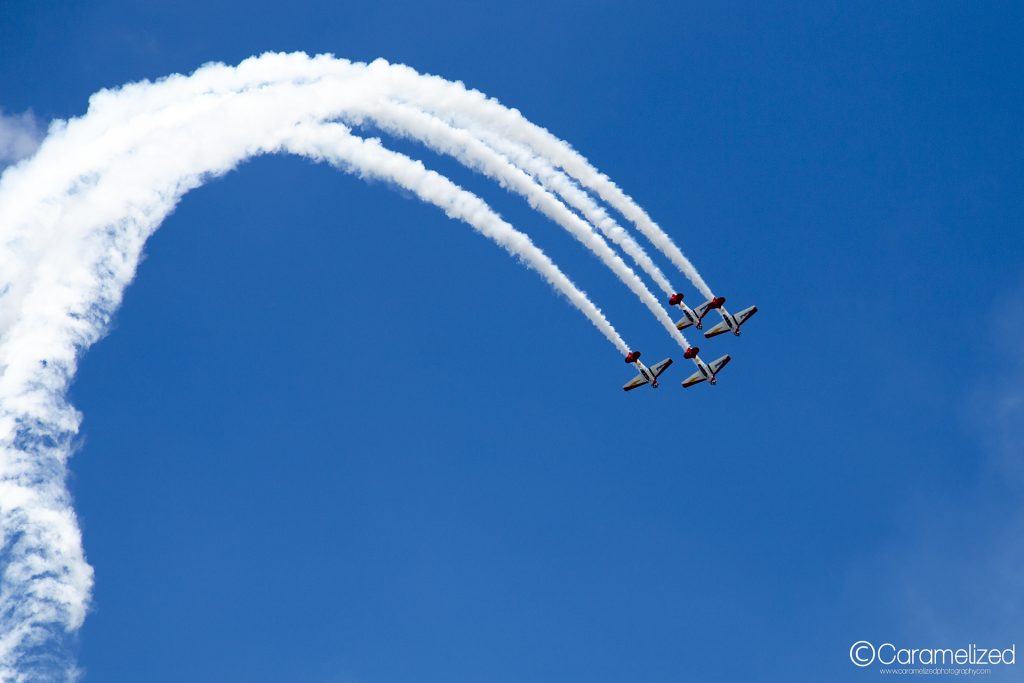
(441, 137)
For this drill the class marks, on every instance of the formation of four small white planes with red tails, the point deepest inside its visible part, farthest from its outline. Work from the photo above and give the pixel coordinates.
(707, 372)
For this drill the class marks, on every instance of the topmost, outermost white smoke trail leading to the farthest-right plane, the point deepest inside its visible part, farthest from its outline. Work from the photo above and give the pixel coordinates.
(492, 121)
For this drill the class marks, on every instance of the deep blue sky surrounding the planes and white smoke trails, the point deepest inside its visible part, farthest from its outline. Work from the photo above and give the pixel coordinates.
(334, 437)
